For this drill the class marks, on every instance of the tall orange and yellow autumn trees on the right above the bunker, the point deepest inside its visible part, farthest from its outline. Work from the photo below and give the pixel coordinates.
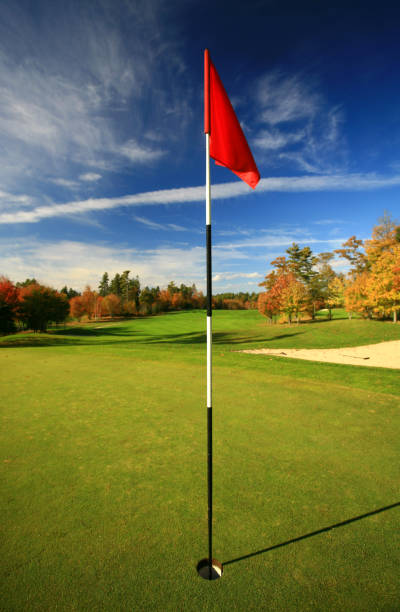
(302, 283)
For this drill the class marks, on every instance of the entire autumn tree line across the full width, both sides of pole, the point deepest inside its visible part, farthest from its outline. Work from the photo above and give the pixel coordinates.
(299, 285)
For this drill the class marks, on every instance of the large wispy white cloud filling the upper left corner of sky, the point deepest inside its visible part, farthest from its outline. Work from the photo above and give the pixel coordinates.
(66, 107)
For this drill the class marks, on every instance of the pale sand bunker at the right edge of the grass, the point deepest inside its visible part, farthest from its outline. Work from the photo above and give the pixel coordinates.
(382, 355)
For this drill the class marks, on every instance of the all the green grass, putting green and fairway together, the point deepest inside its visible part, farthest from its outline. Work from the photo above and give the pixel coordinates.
(103, 485)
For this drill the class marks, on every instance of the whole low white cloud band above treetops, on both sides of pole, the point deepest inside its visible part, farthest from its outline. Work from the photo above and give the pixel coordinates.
(77, 263)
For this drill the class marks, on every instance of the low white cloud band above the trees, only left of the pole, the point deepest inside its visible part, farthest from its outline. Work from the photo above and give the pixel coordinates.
(77, 264)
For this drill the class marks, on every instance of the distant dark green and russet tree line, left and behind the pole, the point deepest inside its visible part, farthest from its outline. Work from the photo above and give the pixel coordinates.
(31, 305)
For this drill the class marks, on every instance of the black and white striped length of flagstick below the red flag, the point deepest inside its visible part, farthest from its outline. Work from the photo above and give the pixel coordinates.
(209, 353)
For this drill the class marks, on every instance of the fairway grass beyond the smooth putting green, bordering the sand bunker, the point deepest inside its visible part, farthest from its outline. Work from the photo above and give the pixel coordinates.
(181, 337)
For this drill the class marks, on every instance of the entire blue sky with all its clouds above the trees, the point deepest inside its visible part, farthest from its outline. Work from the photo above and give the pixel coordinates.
(102, 147)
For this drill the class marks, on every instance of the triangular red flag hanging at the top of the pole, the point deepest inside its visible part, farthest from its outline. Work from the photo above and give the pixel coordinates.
(228, 145)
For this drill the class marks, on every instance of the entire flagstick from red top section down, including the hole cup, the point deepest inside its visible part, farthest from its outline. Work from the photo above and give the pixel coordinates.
(209, 568)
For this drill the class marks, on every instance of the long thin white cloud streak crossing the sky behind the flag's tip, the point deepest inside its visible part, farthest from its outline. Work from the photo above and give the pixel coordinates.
(340, 182)
